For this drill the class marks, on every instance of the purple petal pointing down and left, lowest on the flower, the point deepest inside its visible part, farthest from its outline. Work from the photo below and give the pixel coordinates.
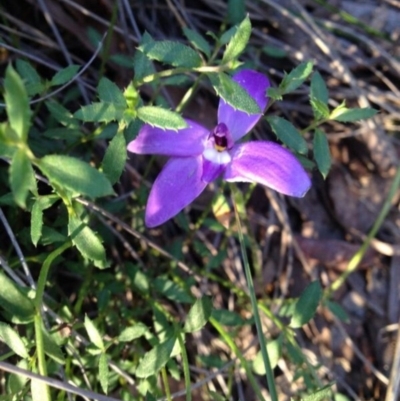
(178, 184)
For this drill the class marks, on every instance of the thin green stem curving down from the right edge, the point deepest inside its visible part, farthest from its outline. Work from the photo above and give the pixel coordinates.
(357, 258)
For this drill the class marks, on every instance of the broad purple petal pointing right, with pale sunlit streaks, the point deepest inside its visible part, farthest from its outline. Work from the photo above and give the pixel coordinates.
(269, 164)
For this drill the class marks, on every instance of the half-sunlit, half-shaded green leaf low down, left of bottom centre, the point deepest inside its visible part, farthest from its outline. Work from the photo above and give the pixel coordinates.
(155, 359)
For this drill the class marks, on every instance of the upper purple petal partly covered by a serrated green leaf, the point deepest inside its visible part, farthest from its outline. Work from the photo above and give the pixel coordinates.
(240, 122)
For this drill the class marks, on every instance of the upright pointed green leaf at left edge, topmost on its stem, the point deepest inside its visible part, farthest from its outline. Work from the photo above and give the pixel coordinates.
(17, 103)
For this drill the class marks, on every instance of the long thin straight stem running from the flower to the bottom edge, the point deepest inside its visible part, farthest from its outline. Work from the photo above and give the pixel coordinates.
(254, 305)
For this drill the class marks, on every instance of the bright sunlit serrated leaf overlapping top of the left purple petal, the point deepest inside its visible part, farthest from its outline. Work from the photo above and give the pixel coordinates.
(159, 117)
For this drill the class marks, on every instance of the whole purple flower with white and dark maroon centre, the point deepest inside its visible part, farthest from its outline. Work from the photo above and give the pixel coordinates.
(199, 156)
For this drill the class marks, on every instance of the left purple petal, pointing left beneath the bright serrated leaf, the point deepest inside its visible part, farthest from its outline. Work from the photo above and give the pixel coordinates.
(185, 142)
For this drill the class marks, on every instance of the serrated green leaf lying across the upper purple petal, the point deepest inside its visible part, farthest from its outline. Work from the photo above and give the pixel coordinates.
(233, 93)
